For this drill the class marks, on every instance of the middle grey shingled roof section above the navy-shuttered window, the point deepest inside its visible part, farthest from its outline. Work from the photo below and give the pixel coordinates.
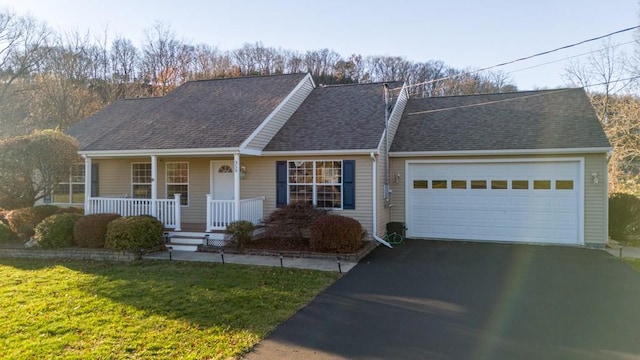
(337, 117)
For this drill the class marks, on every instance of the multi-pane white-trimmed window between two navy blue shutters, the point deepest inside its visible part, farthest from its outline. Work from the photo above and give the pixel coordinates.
(318, 182)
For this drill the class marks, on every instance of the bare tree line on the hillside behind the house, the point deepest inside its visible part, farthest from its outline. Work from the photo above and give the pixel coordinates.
(53, 80)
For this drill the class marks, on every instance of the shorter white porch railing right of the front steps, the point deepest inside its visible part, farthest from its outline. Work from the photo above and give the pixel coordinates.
(222, 212)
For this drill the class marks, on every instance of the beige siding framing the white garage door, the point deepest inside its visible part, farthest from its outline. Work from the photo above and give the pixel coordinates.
(595, 195)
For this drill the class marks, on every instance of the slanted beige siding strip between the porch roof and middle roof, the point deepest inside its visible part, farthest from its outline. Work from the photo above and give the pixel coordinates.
(275, 123)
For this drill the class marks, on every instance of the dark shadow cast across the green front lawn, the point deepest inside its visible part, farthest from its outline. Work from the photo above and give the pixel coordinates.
(230, 296)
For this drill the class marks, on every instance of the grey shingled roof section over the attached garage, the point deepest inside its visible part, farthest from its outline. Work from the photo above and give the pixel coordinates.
(530, 120)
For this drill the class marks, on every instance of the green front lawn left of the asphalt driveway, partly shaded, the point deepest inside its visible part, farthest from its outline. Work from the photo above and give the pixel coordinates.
(82, 310)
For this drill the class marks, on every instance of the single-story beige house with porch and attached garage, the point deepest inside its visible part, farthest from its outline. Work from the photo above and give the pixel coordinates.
(516, 167)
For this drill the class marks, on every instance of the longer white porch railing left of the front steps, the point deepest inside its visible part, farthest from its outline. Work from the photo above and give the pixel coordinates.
(165, 210)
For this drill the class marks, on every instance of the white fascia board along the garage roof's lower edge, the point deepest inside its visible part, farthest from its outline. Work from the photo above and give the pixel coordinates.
(501, 152)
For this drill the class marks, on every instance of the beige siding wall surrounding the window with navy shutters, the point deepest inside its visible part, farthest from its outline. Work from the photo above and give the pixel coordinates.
(261, 181)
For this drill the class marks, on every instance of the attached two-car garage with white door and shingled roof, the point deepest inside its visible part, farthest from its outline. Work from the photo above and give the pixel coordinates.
(523, 167)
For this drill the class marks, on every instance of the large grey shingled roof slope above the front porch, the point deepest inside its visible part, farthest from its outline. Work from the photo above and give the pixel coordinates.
(205, 114)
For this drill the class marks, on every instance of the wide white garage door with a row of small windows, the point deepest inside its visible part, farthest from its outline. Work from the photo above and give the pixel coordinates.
(531, 202)
